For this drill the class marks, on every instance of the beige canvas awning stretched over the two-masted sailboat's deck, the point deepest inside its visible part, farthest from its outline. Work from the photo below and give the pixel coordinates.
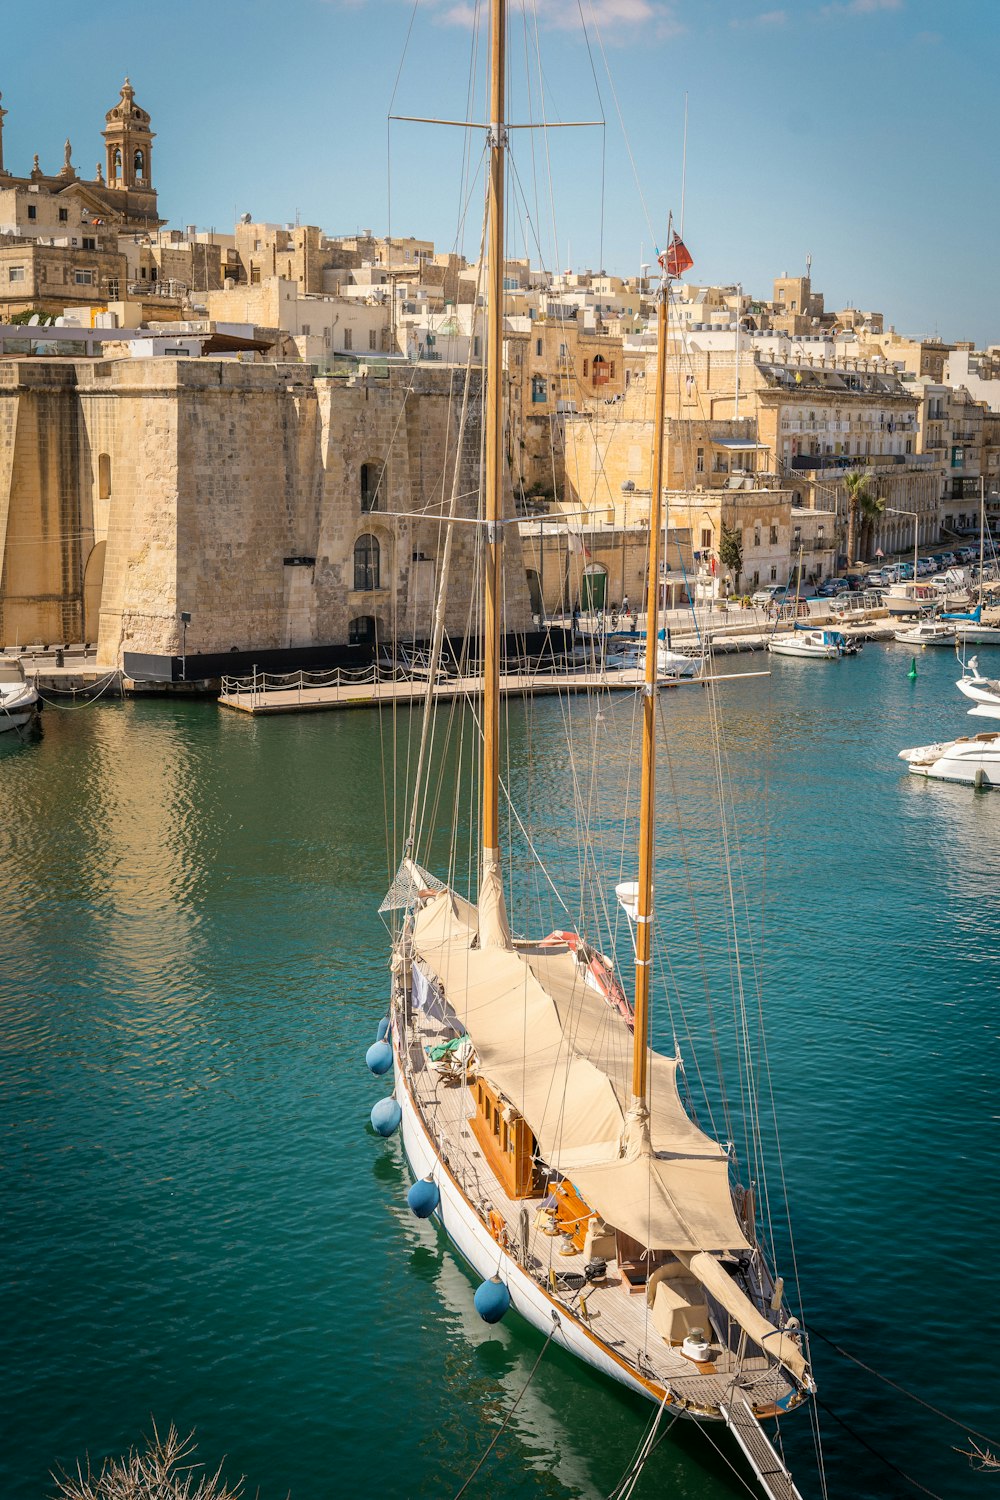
(563, 1057)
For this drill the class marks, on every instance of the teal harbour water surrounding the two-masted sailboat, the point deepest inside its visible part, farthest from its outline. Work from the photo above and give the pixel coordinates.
(199, 1225)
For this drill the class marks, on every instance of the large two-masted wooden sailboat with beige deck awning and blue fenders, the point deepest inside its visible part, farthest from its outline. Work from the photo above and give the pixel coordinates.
(545, 1135)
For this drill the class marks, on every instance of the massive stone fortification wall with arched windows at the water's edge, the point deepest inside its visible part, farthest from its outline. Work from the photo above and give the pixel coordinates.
(232, 493)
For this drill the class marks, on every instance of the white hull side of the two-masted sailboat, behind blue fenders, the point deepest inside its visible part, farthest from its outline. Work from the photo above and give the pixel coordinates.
(475, 1243)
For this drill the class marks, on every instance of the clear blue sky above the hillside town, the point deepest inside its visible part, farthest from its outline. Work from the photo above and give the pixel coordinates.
(861, 131)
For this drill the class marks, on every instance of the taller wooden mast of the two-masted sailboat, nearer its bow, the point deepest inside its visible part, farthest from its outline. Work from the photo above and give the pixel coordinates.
(494, 931)
